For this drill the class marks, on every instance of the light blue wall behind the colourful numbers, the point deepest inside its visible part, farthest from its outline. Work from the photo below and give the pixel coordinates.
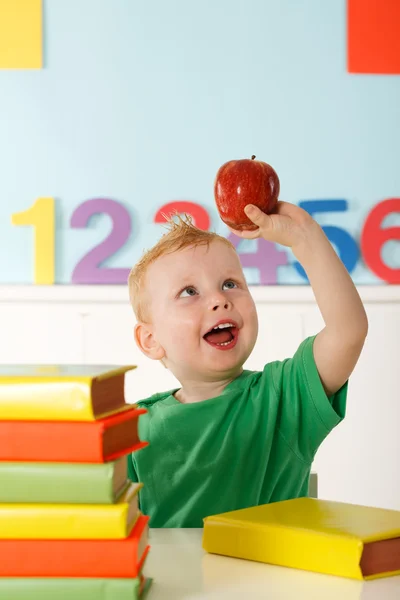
(142, 101)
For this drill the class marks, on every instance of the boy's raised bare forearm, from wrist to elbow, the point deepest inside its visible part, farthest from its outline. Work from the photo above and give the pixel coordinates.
(334, 290)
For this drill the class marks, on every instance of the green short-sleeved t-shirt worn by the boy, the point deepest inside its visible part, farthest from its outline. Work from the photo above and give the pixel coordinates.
(251, 445)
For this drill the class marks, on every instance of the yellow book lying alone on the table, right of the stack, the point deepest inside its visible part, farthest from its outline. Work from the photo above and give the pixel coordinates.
(336, 538)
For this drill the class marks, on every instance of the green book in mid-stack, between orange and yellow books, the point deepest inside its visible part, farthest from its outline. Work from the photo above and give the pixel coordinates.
(62, 483)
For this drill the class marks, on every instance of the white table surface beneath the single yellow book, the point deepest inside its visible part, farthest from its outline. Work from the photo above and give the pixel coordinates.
(182, 570)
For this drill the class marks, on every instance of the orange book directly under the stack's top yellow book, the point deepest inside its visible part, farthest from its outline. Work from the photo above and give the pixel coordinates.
(71, 441)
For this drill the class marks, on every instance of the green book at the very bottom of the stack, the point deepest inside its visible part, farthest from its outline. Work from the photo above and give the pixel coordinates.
(37, 588)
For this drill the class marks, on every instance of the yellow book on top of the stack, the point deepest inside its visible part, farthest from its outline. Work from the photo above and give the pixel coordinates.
(61, 392)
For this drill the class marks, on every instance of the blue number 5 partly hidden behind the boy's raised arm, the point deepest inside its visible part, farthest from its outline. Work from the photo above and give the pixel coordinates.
(346, 245)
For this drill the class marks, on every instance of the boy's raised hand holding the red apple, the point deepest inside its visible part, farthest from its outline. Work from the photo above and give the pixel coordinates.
(289, 225)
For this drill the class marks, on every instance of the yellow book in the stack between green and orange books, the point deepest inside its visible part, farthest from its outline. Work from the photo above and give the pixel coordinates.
(71, 521)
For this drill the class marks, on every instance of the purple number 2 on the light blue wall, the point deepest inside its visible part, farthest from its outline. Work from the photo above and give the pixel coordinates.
(88, 269)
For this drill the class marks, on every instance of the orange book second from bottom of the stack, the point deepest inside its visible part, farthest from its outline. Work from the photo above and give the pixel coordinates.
(77, 558)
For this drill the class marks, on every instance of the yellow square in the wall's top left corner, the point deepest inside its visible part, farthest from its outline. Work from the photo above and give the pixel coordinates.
(20, 34)
